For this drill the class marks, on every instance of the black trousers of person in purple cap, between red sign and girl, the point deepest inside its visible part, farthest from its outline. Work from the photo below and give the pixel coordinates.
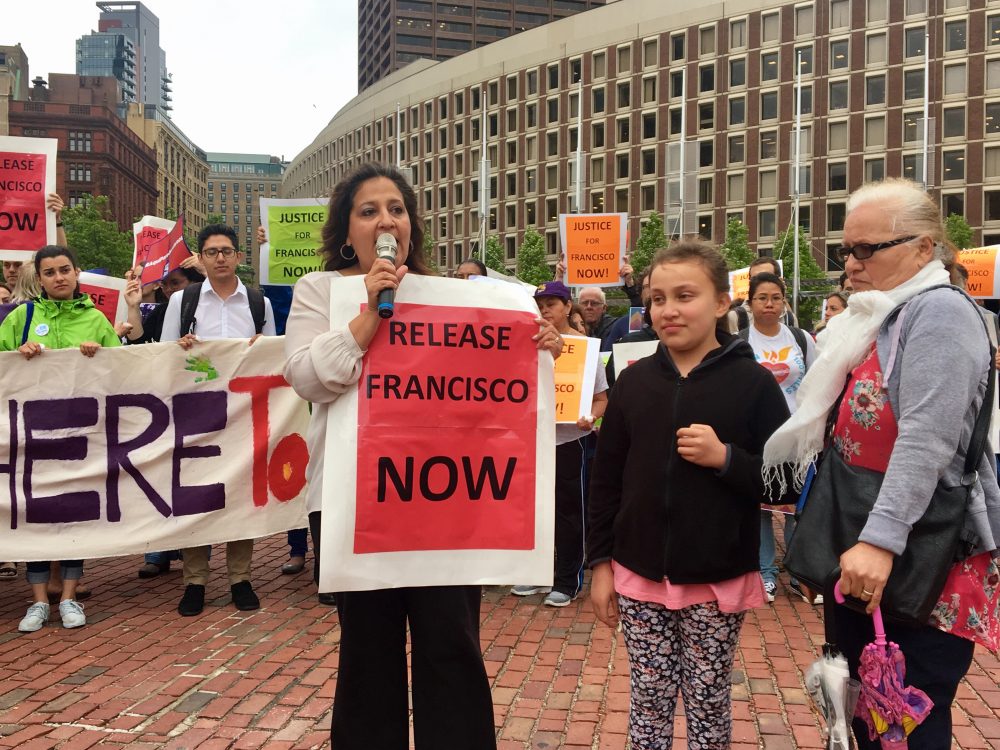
(570, 537)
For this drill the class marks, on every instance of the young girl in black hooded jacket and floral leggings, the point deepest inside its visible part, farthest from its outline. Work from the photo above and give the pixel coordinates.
(674, 512)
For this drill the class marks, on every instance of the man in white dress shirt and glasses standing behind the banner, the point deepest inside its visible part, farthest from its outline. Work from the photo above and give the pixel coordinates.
(224, 309)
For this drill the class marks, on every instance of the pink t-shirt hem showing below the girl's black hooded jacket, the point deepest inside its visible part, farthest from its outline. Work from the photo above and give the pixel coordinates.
(734, 595)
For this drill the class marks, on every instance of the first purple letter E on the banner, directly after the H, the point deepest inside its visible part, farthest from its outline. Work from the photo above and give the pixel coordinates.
(58, 414)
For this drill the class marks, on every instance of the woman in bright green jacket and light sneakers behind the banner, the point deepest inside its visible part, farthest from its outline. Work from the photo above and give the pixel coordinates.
(61, 318)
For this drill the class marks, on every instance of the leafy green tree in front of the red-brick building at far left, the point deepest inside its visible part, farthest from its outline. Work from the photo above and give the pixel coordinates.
(93, 235)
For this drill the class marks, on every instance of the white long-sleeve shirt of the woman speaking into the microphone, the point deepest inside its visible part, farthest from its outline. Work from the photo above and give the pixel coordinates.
(322, 364)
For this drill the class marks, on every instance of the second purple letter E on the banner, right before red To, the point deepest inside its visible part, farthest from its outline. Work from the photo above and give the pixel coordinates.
(197, 414)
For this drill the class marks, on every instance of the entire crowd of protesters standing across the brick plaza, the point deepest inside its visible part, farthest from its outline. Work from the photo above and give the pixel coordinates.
(663, 489)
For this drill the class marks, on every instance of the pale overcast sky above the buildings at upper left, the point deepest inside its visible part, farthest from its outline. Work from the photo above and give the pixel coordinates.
(249, 76)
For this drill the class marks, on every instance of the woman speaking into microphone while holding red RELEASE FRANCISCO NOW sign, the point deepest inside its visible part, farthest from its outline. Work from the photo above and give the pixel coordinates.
(452, 705)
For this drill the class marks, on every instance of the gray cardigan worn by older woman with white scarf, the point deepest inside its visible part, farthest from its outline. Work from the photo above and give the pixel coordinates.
(935, 387)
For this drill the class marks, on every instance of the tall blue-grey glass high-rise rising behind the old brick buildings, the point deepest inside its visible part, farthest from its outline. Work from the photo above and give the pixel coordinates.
(126, 46)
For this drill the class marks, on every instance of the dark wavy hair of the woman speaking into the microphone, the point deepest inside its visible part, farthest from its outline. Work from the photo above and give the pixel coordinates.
(338, 219)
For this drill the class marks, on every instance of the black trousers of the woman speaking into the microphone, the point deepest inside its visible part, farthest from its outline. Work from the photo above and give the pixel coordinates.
(452, 704)
